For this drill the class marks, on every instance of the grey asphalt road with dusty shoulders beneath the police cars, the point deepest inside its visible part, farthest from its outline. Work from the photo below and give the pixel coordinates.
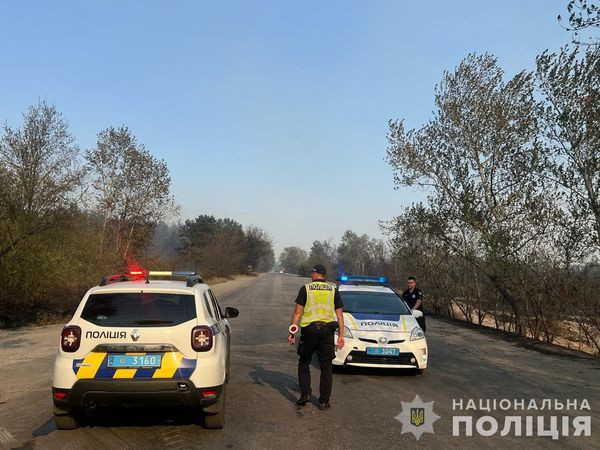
(465, 363)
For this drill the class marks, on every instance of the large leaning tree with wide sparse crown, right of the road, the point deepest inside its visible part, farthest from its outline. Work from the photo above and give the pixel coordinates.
(480, 161)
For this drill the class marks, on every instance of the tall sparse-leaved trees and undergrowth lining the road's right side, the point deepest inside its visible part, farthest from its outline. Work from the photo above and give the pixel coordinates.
(510, 232)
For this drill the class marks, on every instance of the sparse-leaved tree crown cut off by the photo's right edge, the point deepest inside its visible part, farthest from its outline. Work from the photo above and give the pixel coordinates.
(570, 122)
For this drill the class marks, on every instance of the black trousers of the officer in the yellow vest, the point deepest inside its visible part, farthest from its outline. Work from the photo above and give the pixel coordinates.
(318, 336)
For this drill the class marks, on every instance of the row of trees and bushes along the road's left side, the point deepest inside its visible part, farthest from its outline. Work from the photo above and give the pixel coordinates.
(69, 217)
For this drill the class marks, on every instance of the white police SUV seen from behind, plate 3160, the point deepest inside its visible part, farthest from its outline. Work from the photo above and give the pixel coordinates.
(138, 340)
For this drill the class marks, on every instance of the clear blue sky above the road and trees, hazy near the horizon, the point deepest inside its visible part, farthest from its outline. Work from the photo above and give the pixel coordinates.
(273, 113)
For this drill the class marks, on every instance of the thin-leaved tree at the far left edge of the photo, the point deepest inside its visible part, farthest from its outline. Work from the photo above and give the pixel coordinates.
(40, 175)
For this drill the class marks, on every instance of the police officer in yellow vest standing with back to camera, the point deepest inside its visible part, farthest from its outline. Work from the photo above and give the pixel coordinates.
(318, 306)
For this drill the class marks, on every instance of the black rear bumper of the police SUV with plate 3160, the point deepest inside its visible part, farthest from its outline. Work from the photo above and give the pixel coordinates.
(92, 393)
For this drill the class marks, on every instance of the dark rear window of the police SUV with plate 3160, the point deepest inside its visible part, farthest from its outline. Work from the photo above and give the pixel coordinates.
(148, 309)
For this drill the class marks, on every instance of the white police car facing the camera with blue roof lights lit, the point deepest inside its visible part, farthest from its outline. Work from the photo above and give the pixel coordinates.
(380, 329)
